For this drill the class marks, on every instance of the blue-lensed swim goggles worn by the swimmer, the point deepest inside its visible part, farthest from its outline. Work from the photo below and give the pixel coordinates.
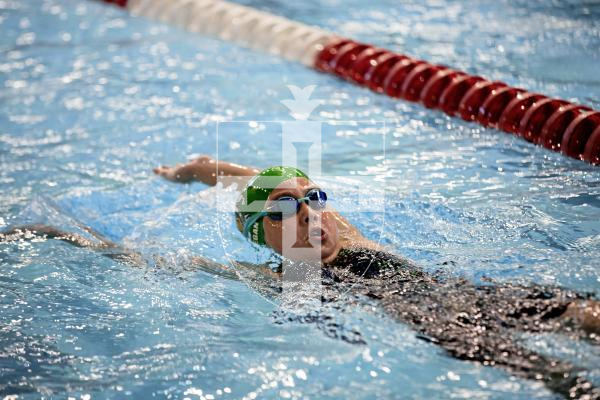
(286, 206)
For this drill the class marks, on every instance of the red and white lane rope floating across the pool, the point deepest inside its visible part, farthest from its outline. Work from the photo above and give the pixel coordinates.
(556, 124)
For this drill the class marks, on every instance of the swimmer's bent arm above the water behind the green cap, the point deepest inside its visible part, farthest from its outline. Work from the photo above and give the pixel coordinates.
(204, 169)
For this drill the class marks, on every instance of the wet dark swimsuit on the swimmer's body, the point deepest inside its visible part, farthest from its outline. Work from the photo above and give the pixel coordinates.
(471, 322)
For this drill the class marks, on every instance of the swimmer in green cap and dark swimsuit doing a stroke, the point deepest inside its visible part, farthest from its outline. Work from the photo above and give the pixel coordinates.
(471, 322)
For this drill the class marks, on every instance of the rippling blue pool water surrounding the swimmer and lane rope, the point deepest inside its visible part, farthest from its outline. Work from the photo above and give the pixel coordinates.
(92, 99)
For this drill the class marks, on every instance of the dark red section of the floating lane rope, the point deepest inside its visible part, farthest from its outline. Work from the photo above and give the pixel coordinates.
(555, 124)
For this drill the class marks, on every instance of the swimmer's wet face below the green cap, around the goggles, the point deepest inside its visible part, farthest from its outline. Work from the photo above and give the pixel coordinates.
(295, 232)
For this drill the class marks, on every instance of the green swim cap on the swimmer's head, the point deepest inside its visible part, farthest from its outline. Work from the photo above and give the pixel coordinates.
(258, 189)
